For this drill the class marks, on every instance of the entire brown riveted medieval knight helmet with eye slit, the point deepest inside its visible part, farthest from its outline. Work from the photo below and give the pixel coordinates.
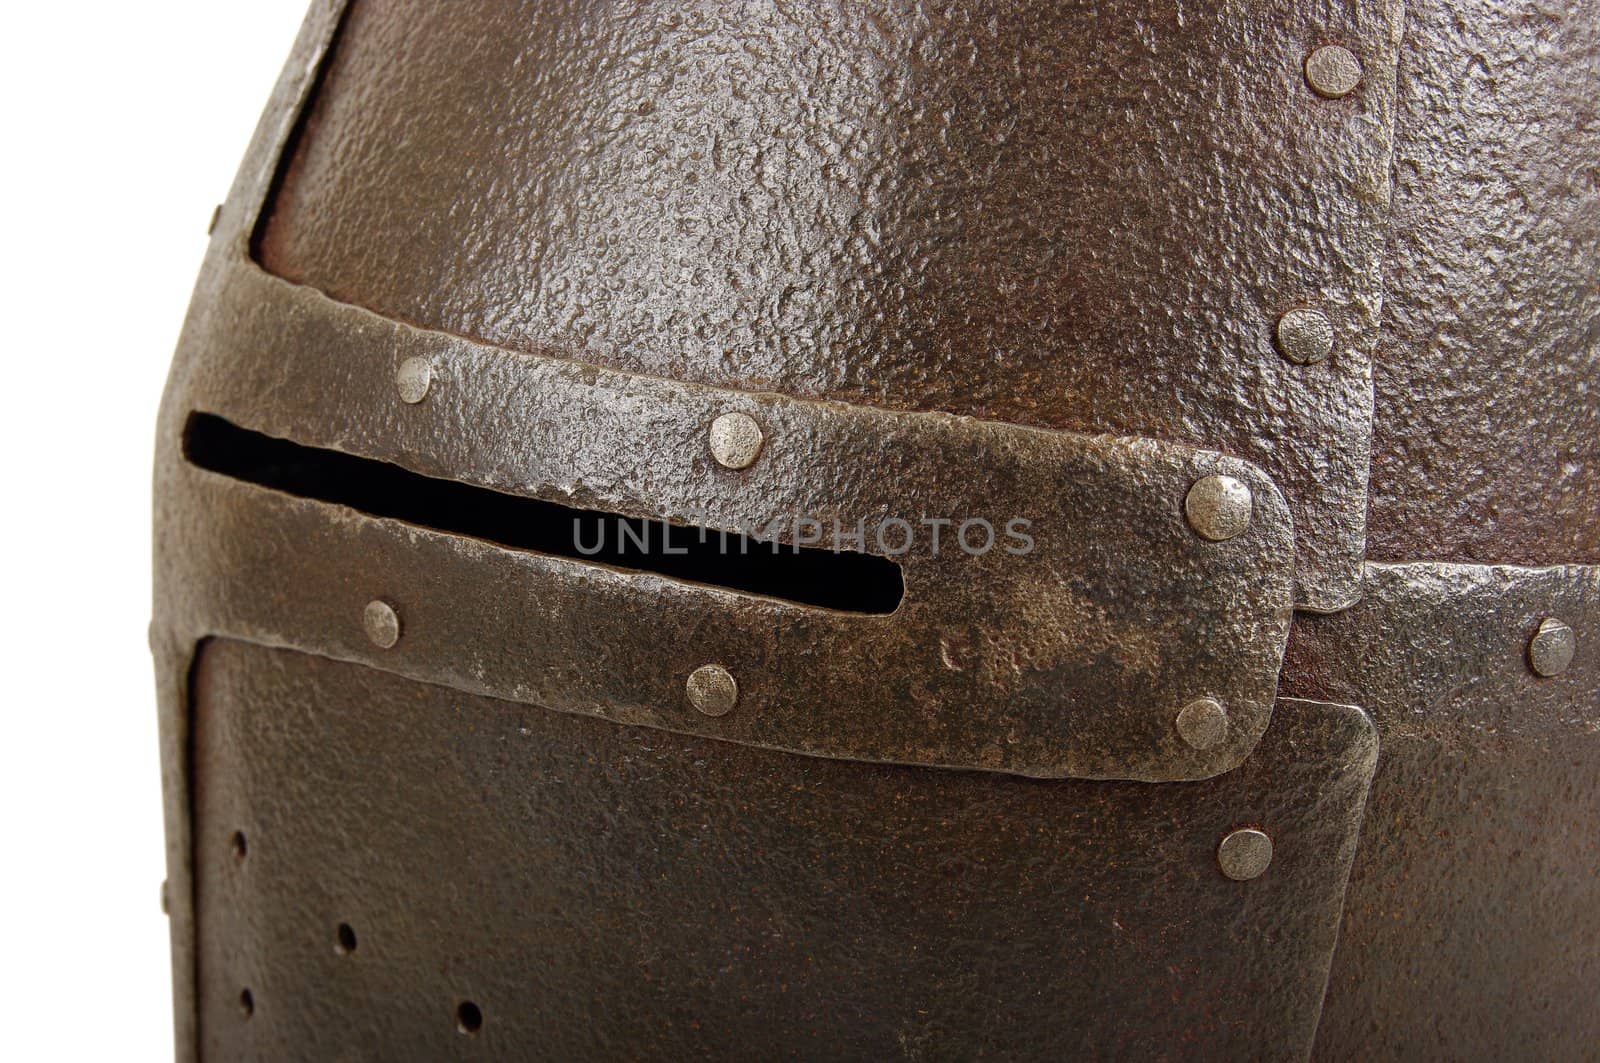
(1178, 431)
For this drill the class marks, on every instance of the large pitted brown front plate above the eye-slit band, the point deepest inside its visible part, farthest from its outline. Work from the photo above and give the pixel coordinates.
(1086, 217)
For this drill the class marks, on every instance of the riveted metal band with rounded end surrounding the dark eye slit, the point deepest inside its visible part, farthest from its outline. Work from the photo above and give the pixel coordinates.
(1073, 660)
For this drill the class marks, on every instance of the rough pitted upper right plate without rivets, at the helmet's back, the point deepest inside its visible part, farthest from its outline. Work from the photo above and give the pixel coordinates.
(1487, 430)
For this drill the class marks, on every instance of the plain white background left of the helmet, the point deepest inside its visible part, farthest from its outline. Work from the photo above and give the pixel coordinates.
(124, 124)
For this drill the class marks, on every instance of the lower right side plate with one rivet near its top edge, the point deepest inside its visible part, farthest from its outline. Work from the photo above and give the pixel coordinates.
(1473, 917)
